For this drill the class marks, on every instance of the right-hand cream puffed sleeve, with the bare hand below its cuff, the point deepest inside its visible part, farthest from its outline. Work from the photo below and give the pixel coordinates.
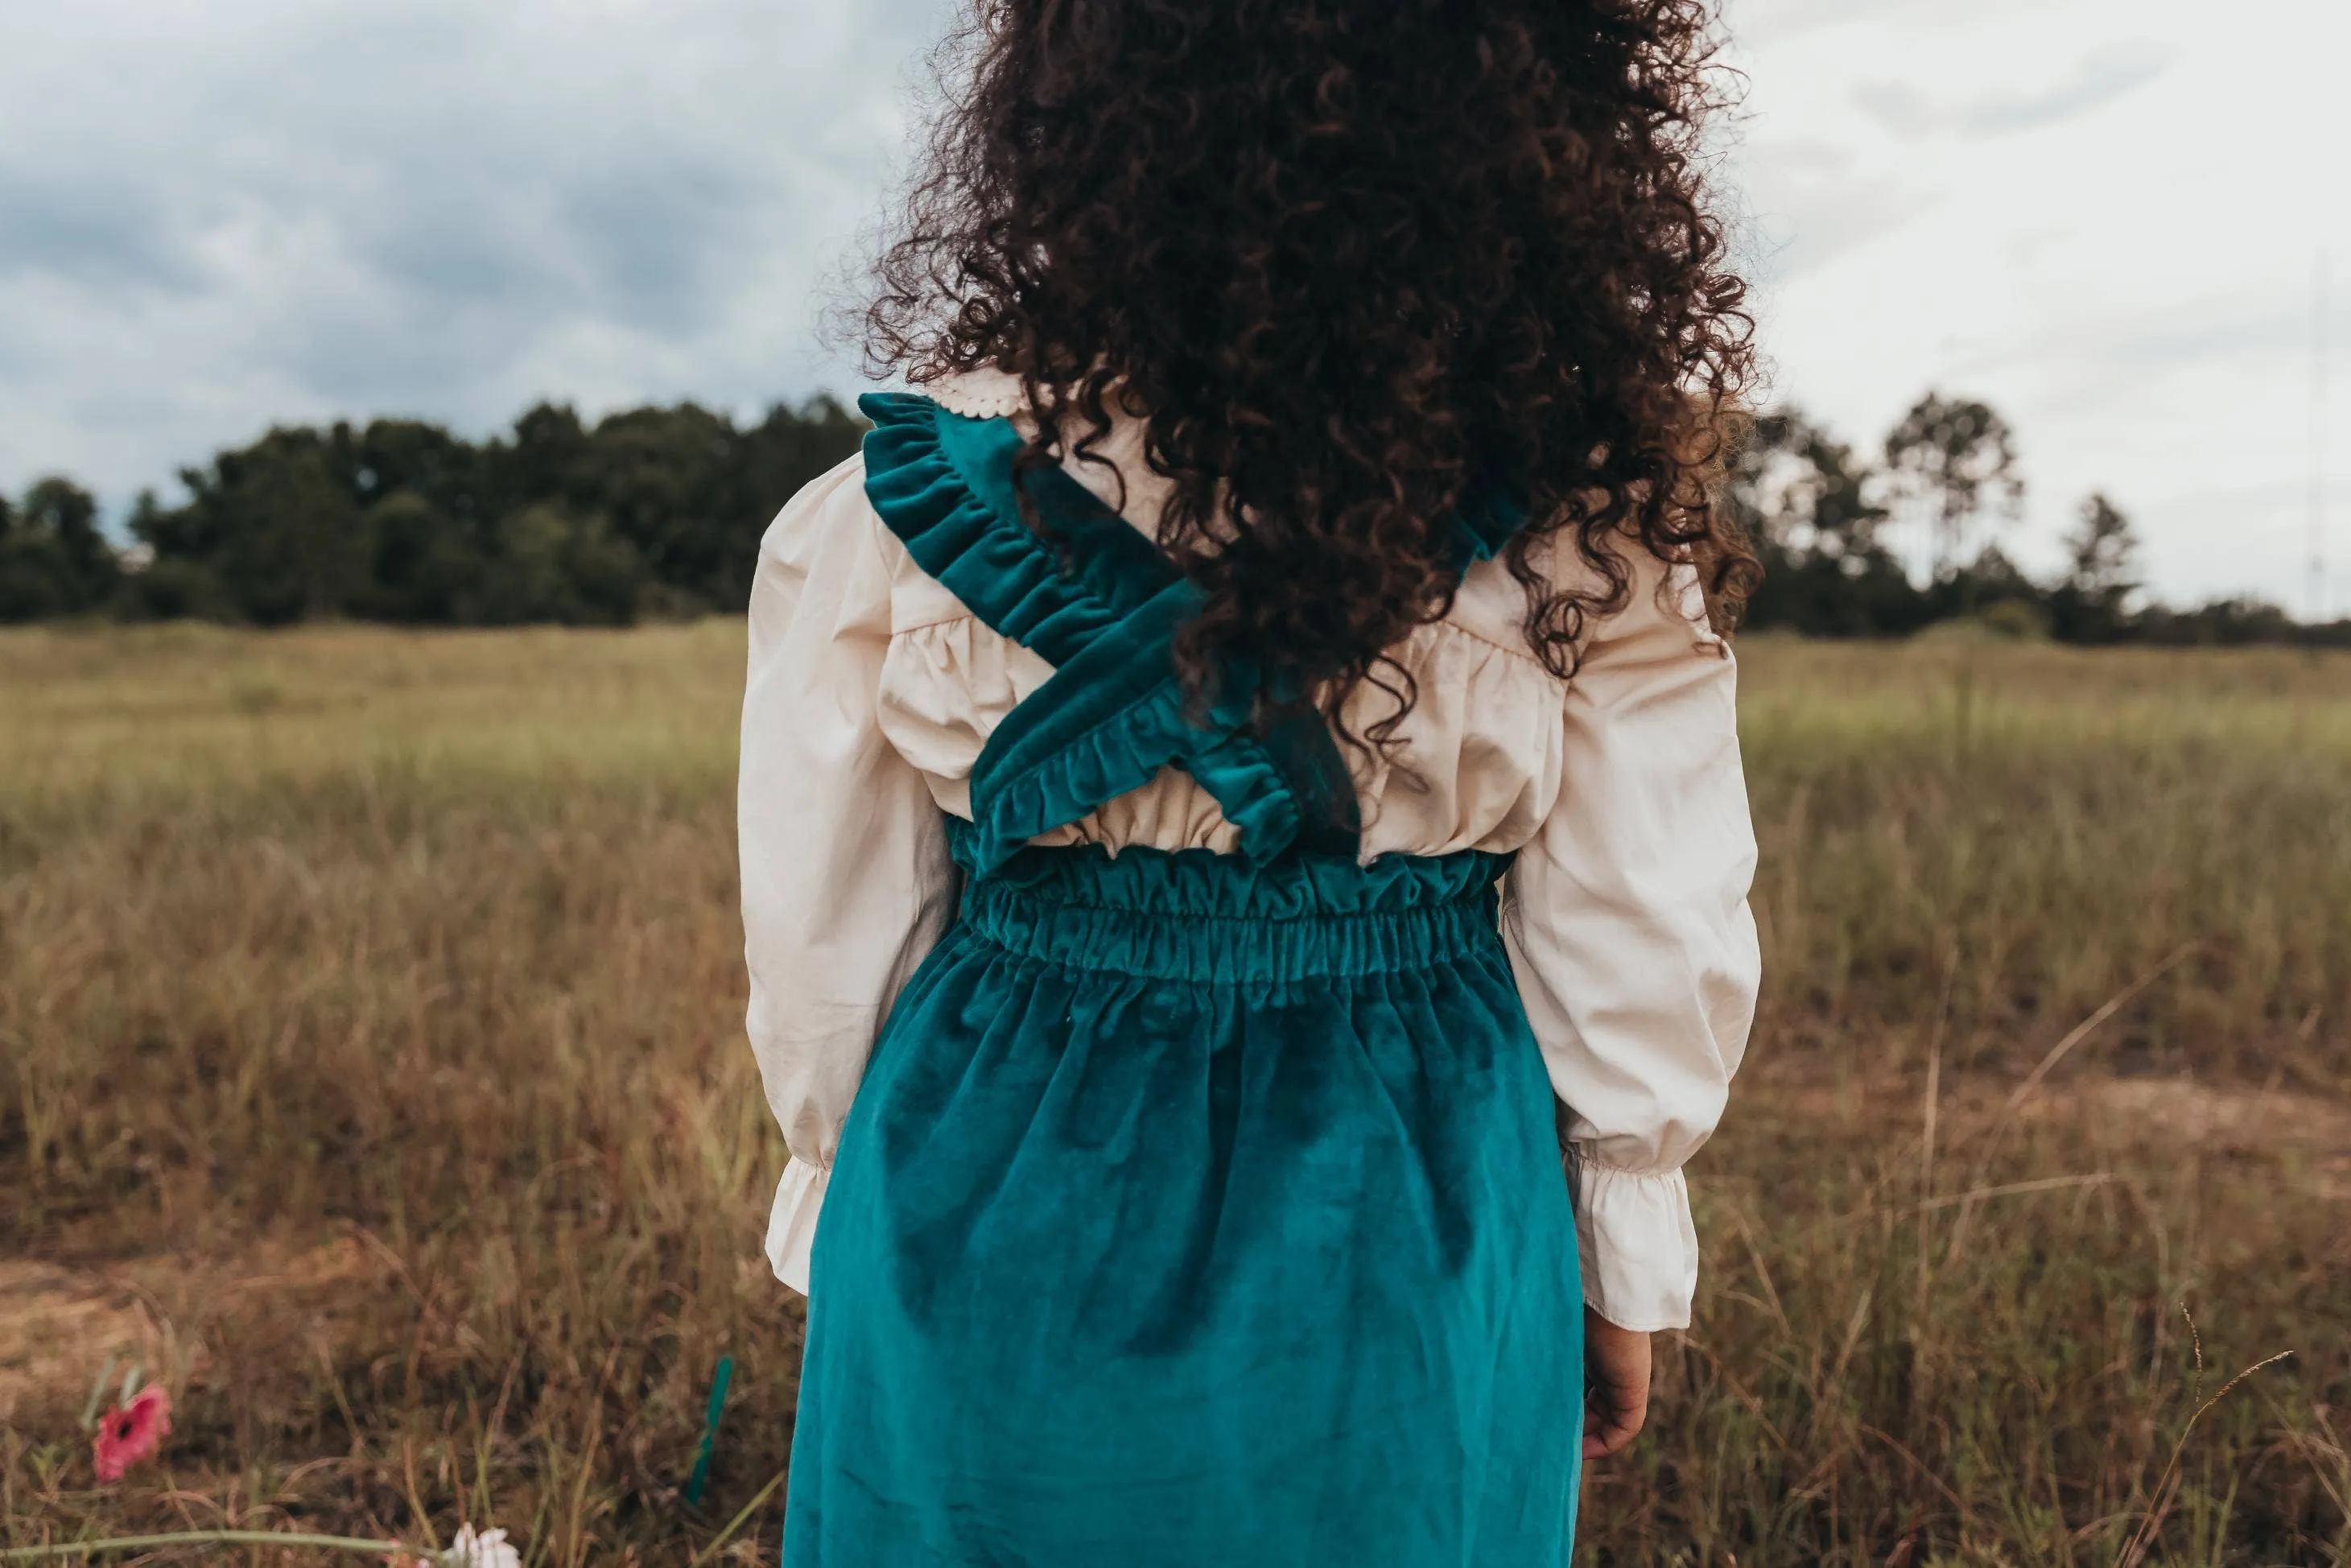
(1633, 942)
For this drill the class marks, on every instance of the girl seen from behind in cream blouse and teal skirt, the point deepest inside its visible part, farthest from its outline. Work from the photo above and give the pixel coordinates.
(1240, 782)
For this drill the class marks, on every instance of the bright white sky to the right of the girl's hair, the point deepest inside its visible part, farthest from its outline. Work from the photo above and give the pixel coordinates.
(2098, 215)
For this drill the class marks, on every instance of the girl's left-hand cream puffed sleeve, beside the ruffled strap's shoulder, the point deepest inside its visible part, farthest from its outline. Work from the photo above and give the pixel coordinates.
(845, 859)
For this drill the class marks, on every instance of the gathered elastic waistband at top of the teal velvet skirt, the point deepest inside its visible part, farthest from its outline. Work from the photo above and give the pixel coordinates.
(1221, 920)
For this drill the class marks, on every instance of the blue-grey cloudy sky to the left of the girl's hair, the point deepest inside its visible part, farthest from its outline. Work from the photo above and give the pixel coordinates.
(227, 215)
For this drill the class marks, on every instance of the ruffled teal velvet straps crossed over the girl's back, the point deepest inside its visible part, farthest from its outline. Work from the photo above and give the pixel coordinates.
(1099, 603)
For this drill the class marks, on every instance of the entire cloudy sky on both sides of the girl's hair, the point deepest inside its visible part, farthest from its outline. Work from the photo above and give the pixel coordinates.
(2101, 215)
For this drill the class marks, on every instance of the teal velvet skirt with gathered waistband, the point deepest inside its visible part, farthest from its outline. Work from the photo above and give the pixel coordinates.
(1198, 1214)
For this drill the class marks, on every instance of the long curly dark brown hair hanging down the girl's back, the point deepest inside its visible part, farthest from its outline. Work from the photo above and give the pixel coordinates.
(1348, 260)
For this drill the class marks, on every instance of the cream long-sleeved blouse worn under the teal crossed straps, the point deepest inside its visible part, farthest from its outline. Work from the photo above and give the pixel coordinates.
(1626, 911)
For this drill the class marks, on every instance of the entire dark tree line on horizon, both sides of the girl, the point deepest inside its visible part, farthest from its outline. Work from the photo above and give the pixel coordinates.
(657, 514)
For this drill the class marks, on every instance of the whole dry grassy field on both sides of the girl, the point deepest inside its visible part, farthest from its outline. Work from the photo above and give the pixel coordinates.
(373, 1073)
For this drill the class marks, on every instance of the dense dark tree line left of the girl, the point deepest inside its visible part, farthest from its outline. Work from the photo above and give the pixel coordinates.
(650, 514)
